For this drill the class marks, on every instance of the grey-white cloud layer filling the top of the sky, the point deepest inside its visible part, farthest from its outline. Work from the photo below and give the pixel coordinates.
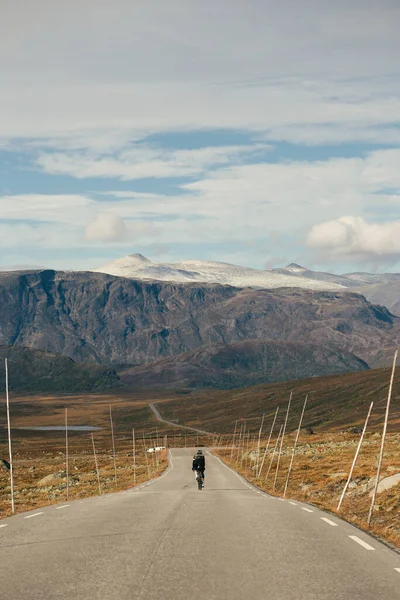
(313, 70)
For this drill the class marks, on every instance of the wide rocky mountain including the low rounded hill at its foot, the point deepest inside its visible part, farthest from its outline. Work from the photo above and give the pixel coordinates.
(208, 334)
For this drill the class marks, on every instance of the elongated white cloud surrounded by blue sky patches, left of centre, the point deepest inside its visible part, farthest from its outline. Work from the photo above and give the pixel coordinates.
(143, 161)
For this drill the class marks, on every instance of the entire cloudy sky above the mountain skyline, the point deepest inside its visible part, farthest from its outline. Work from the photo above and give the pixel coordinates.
(253, 132)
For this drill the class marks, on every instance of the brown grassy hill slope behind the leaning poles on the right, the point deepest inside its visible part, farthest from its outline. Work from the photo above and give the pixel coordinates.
(335, 402)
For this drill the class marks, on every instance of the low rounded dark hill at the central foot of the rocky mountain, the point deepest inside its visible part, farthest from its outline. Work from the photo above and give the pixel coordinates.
(242, 363)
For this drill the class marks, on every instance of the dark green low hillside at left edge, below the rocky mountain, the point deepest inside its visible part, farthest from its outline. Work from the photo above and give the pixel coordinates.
(37, 371)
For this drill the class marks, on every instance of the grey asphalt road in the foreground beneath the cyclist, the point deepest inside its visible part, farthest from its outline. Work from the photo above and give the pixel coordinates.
(168, 541)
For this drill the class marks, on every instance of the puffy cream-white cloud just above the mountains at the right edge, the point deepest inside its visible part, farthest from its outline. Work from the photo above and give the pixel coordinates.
(354, 238)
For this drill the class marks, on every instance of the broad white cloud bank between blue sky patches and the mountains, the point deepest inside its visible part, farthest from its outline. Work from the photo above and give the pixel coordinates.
(235, 204)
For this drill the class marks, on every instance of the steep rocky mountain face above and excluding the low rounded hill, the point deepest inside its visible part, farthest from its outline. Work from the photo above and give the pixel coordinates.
(92, 317)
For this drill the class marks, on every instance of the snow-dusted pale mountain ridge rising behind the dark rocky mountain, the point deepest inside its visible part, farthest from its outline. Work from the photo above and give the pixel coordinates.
(189, 271)
